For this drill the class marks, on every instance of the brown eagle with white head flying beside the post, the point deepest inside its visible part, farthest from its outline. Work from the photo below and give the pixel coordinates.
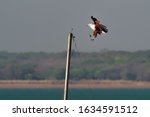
(97, 27)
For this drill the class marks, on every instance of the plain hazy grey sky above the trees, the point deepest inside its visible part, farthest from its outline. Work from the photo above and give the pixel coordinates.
(43, 25)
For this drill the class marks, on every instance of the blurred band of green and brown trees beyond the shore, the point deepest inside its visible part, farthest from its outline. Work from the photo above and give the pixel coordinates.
(106, 65)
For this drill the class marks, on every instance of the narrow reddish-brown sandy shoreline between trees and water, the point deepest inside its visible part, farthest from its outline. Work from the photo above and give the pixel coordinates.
(73, 84)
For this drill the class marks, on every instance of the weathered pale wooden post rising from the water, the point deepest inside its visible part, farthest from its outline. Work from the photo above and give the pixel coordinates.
(70, 36)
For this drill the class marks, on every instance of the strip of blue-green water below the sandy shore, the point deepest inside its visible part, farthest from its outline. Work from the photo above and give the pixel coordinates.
(75, 94)
